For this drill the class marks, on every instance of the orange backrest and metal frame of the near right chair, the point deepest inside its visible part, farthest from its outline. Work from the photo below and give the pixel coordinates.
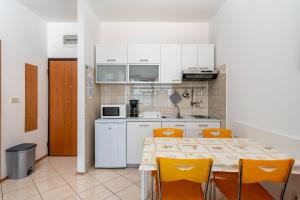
(255, 171)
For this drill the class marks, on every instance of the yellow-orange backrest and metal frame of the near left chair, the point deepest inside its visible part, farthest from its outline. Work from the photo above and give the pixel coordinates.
(194, 170)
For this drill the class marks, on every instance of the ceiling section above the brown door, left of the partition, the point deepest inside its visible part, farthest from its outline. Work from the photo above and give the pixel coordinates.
(53, 10)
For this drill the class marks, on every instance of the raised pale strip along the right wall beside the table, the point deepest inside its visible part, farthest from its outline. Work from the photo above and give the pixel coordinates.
(286, 144)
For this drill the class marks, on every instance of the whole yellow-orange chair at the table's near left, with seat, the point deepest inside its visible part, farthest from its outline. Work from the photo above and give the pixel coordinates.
(182, 178)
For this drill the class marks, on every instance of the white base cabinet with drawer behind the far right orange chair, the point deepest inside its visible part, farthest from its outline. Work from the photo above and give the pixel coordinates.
(194, 129)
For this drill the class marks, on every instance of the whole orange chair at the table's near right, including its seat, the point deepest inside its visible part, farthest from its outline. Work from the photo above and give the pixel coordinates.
(247, 185)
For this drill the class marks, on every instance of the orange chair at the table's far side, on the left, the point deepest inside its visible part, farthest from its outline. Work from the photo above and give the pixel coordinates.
(164, 132)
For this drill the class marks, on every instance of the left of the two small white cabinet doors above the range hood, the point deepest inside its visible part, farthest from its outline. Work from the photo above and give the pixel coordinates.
(189, 57)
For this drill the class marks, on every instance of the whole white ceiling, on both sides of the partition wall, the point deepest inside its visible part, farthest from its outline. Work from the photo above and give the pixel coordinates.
(128, 10)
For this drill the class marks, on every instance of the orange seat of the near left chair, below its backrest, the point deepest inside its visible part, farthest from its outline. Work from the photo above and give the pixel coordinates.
(180, 190)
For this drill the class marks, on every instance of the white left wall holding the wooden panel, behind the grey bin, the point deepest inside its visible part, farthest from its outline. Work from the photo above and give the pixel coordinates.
(24, 40)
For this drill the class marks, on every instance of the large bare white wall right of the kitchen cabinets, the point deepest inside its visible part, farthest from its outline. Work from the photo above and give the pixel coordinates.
(259, 41)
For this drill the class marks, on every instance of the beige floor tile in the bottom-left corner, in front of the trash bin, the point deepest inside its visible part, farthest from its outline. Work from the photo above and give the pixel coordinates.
(27, 192)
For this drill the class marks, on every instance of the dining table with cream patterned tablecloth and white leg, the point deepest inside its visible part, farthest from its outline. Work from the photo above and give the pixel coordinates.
(226, 153)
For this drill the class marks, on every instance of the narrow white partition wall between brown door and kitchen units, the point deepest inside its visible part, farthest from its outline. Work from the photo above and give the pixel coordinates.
(88, 27)
